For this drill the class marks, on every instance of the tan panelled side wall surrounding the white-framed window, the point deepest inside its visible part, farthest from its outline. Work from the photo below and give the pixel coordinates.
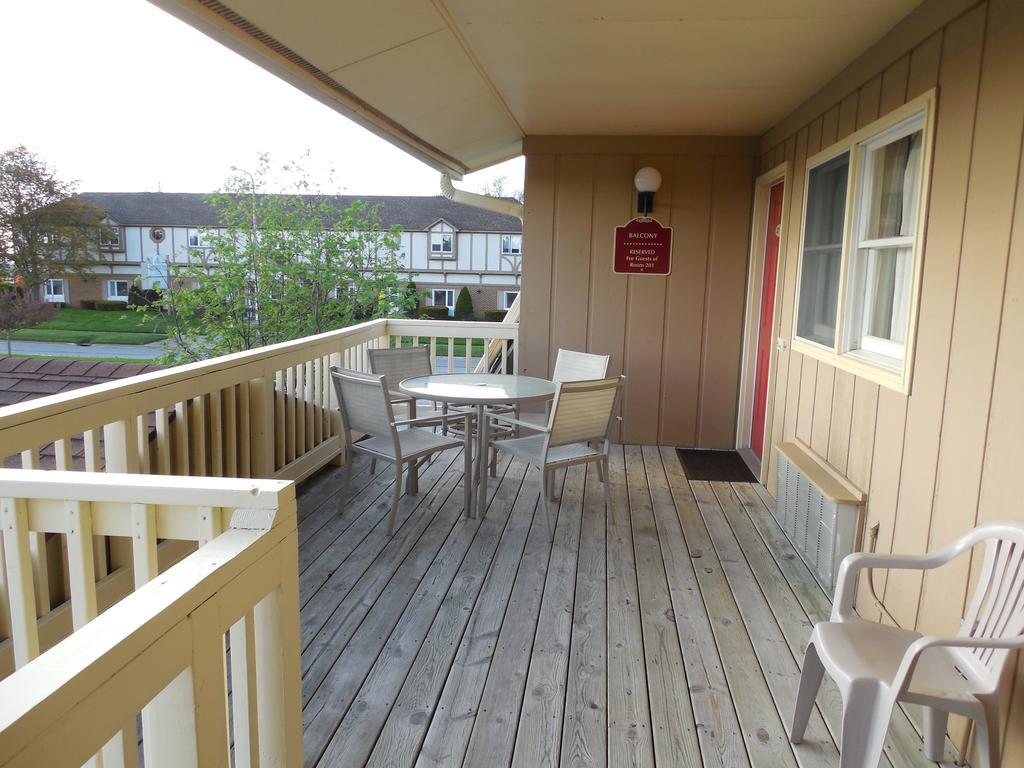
(949, 456)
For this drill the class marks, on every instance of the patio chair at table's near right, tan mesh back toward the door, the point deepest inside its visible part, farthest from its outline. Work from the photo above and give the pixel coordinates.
(582, 414)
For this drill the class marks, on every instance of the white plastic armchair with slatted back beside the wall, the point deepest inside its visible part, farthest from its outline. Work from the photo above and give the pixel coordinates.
(876, 666)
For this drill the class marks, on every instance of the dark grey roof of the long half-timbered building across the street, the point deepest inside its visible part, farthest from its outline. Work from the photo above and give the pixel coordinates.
(193, 209)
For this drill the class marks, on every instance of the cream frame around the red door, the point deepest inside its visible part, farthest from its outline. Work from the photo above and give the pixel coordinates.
(752, 319)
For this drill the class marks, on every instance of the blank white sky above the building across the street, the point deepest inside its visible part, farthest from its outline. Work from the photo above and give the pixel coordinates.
(121, 97)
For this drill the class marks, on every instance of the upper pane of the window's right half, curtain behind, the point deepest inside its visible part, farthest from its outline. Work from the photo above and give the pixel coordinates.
(891, 197)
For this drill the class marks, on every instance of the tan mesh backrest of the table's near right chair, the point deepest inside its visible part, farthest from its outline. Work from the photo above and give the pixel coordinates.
(583, 411)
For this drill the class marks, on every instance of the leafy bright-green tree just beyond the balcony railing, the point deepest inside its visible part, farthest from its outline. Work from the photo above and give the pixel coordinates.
(281, 267)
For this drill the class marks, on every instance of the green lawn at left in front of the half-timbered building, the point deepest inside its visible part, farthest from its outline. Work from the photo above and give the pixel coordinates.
(93, 326)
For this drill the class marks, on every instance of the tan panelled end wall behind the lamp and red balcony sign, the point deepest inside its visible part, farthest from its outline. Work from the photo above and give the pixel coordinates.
(676, 338)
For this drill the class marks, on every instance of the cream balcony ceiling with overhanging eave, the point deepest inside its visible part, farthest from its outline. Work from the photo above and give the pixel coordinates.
(459, 83)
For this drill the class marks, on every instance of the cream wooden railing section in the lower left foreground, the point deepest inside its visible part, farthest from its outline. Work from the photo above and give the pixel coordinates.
(153, 667)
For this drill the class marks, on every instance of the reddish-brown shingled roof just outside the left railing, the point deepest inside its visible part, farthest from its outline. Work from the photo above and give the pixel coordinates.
(28, 378)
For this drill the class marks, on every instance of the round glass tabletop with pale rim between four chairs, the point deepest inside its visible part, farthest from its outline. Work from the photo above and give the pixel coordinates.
(480, 390)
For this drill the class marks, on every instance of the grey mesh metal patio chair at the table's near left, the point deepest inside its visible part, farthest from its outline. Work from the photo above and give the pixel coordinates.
(366, 407)
